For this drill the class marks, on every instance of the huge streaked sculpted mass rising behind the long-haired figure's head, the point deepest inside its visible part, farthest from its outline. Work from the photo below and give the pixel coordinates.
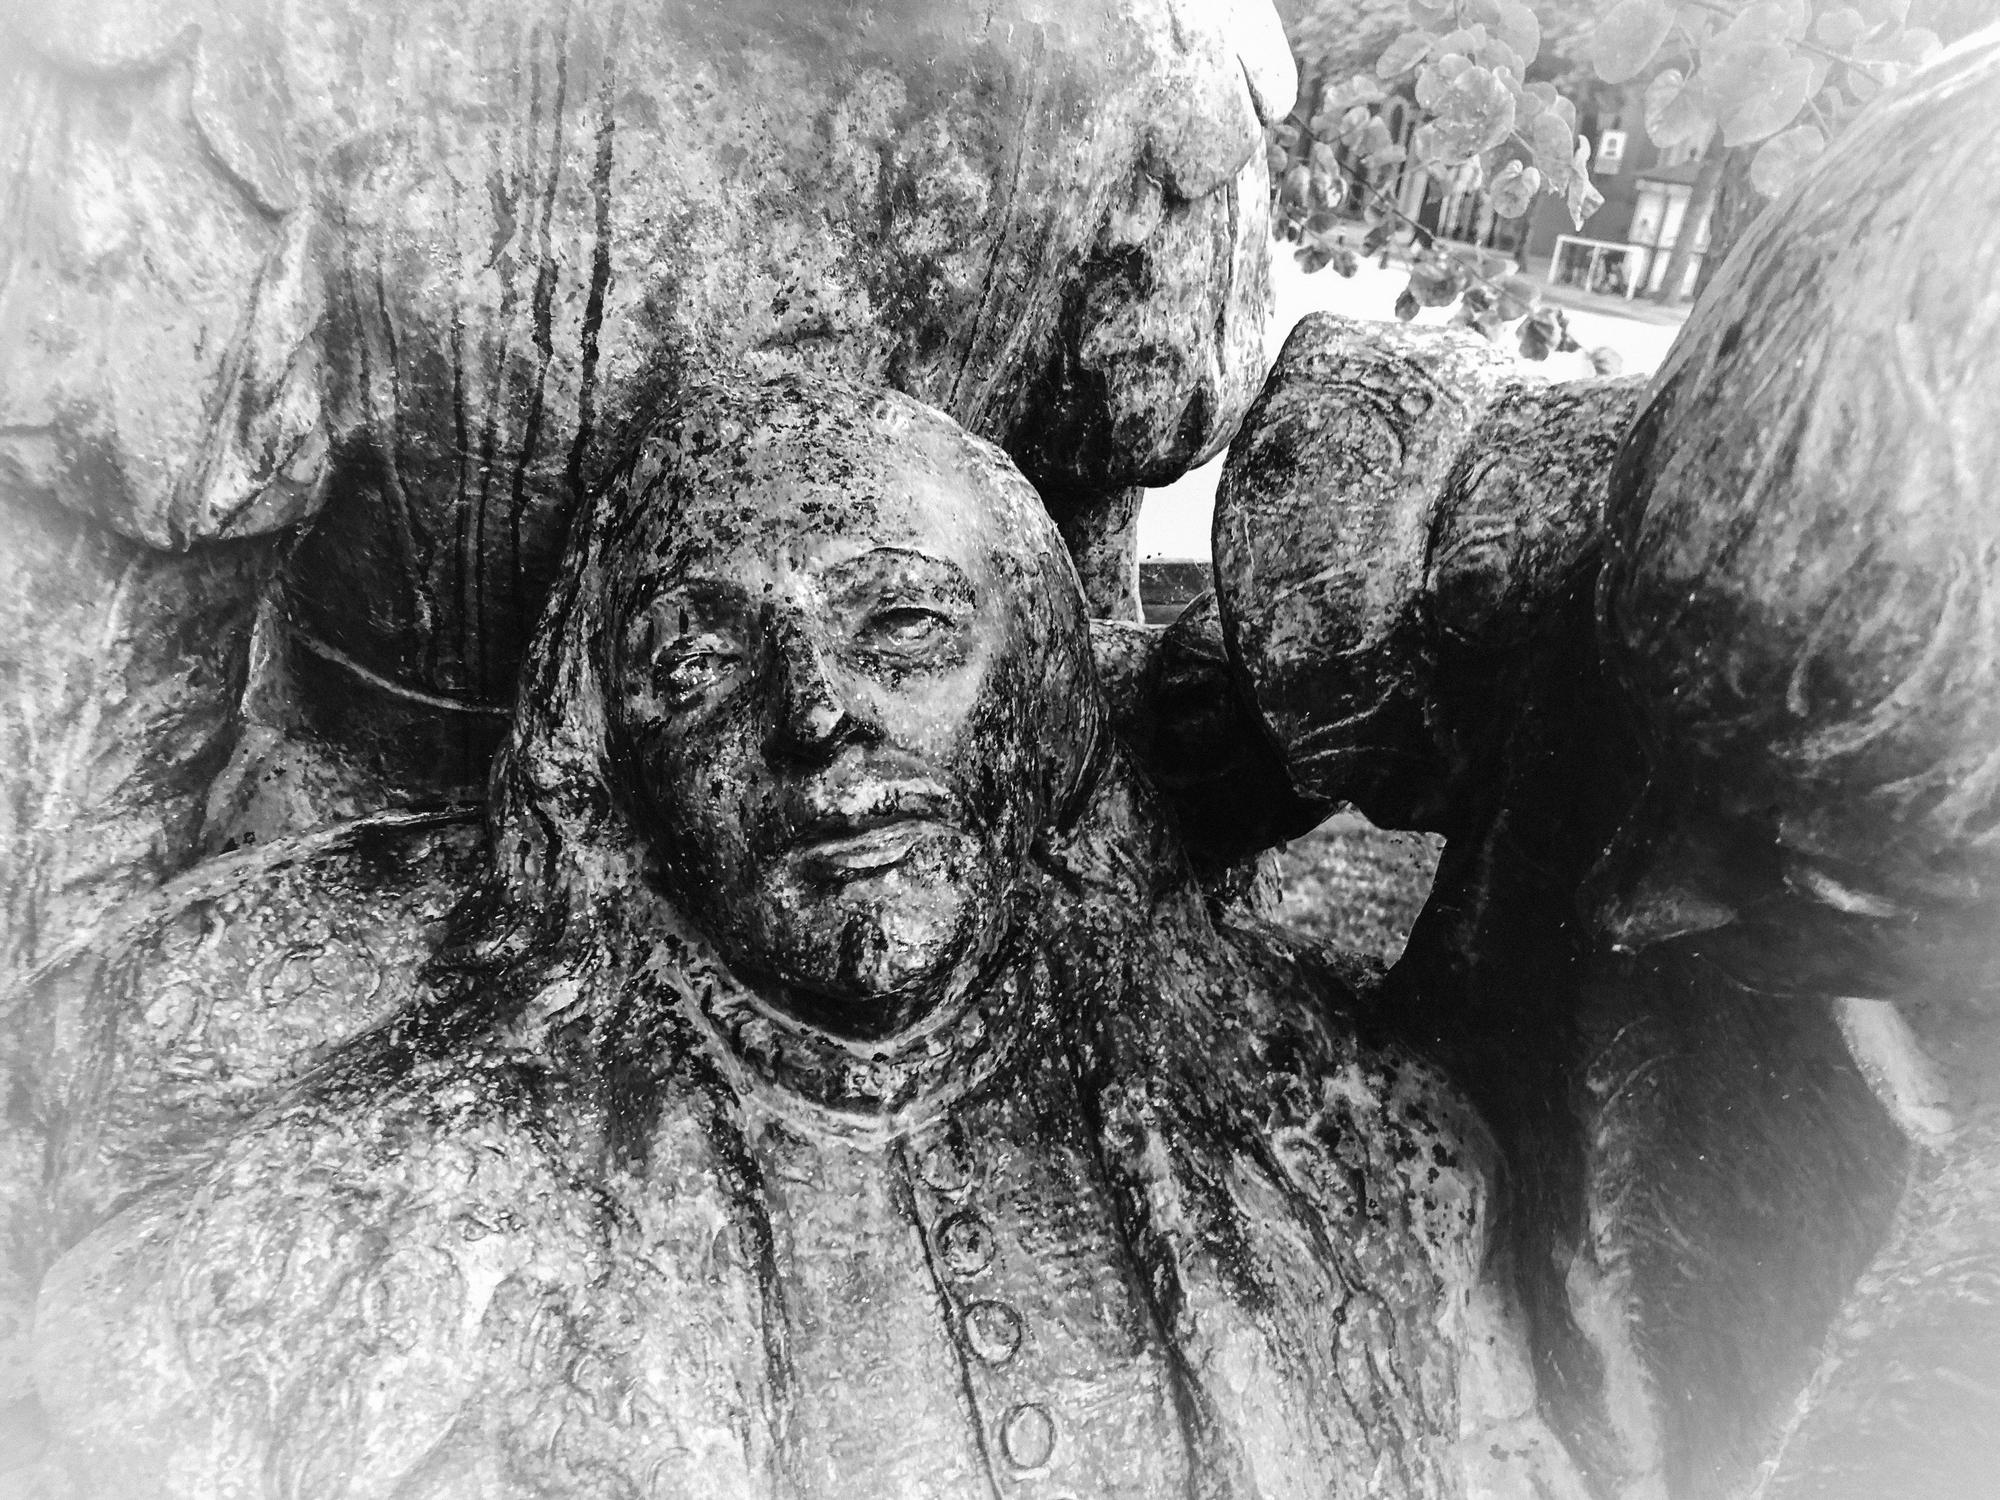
(317, 323)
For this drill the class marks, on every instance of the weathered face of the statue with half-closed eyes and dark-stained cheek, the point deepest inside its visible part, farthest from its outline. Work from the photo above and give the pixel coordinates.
(829, 681)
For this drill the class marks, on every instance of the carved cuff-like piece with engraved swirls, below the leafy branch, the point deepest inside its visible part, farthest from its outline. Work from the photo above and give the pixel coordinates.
(1397, 525)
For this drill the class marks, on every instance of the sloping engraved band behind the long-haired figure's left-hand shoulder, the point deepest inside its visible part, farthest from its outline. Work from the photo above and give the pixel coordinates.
(131, 1055)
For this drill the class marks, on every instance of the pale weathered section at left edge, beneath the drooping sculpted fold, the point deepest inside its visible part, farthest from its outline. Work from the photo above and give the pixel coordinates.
(121, 671)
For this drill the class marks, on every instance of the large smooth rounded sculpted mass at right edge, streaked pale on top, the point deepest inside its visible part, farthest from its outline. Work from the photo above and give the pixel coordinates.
(1801, 593)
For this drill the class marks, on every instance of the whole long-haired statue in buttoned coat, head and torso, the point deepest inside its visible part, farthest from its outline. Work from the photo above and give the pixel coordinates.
(839, 1089)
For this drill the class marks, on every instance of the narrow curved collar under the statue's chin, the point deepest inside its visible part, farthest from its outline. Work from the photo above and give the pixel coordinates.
(889, 1087)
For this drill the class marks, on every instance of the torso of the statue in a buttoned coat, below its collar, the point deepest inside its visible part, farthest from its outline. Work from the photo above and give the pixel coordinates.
(1095, 1261)
